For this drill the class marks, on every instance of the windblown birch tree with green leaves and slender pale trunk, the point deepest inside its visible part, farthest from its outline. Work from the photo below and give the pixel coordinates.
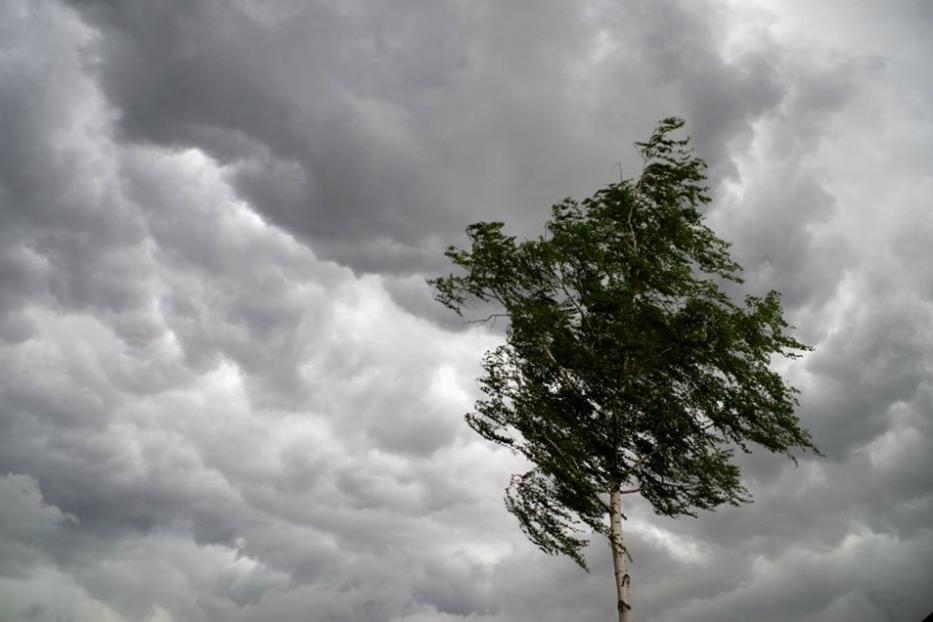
(626, 369)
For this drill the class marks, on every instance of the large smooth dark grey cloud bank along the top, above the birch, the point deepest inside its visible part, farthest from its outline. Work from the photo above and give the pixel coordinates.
(377, 134)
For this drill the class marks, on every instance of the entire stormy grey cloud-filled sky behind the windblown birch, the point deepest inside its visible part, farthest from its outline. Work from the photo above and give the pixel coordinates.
(226, 393)
